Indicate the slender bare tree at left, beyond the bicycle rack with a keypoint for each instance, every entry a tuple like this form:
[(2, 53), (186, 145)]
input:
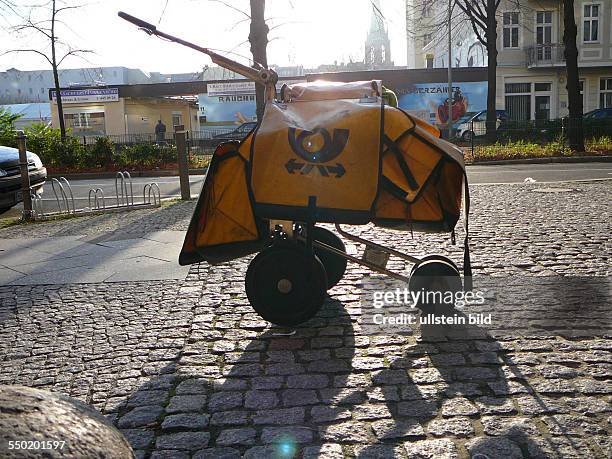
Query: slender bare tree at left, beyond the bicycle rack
[(43, 20)]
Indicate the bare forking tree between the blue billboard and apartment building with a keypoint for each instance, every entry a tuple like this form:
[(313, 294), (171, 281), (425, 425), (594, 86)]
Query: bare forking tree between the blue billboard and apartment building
[(482, 17)]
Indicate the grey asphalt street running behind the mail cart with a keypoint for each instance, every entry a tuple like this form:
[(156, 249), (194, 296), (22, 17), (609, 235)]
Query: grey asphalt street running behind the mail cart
[(489, 174)]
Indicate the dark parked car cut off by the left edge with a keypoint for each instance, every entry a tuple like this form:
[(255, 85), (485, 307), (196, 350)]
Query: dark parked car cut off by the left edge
[(10, 176)]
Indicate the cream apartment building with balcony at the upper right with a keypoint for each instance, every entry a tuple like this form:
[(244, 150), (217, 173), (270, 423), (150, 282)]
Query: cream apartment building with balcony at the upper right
[(531, 76)]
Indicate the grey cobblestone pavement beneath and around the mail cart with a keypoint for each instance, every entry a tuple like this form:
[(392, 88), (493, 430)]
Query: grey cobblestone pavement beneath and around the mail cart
[(187, 369)]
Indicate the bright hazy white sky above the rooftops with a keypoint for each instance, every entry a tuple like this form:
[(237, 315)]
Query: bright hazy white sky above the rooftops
[(303, 32)]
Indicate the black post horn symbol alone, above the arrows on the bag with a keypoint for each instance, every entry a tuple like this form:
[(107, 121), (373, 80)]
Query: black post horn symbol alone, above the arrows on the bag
[(318, 146)]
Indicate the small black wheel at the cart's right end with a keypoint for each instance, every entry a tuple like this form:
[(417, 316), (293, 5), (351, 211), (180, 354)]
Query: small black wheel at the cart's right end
[(436, 276)]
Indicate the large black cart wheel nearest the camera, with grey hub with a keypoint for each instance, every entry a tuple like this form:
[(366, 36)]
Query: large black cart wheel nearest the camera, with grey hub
[(286, 285)]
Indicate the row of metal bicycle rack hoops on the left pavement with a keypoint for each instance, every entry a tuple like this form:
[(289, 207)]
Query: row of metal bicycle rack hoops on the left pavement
[(62, 190)]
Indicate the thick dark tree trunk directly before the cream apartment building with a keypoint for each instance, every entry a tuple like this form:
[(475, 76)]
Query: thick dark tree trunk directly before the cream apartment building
[(575, 132)]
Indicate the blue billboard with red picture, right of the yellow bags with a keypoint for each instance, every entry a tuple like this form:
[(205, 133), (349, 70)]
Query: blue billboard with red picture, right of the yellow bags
[(428, 101)]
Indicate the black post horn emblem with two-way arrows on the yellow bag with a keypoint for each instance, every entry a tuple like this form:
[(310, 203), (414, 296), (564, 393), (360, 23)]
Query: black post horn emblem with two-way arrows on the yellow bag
[(331, 148)]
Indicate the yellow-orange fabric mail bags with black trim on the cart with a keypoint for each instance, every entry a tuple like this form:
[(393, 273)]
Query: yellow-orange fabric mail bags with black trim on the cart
[(333, 150)]
